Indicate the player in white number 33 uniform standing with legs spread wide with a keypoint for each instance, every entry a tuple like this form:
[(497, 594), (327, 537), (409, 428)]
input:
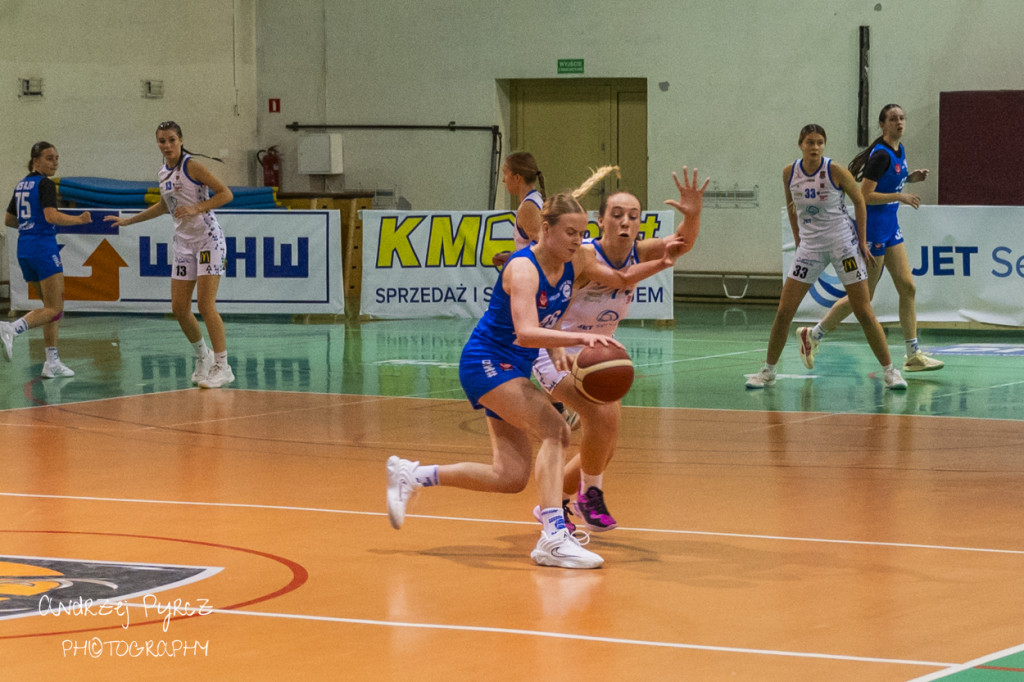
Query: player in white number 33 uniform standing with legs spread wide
[(825, 233)]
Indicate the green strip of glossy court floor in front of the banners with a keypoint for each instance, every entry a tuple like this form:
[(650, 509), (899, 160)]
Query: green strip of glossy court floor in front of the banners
[(699, 362)]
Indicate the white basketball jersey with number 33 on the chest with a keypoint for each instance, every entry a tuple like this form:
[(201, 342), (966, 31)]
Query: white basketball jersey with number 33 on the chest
[(822, 217)]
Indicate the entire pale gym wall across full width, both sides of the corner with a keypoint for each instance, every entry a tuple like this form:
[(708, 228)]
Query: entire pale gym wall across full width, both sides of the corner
[(745, 76)]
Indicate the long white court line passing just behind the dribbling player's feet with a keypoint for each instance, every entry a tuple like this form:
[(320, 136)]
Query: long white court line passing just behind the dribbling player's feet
[(746, 536)]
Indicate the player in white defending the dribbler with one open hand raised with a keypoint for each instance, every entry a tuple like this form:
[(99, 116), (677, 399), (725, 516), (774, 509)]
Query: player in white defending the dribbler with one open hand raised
[(598, 309)]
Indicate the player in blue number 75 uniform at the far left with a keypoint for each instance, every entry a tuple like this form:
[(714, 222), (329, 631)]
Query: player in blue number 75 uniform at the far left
[(33, 210)]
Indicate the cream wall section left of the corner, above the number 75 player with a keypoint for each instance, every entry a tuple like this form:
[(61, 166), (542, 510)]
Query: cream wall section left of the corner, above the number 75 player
[(94, 57)]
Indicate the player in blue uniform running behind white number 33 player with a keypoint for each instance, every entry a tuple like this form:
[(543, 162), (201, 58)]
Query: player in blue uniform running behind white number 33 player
[(883, 172)]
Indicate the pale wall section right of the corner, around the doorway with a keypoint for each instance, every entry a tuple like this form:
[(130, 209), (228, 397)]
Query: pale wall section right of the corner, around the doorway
[(745, 76)]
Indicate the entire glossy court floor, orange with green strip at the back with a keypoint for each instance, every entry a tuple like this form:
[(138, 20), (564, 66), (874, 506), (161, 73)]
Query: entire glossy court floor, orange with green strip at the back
[(824, 529)]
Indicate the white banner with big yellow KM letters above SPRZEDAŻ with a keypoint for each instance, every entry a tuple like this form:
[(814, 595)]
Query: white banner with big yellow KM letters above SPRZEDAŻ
[(439, 265)]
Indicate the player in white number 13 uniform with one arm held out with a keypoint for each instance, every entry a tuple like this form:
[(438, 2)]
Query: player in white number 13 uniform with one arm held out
[(186, 188)]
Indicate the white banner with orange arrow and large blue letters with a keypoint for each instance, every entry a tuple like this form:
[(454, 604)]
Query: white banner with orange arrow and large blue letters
[(278, 263)]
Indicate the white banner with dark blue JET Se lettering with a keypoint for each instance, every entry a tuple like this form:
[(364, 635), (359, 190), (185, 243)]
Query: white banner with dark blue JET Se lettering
[(968, 265)]
